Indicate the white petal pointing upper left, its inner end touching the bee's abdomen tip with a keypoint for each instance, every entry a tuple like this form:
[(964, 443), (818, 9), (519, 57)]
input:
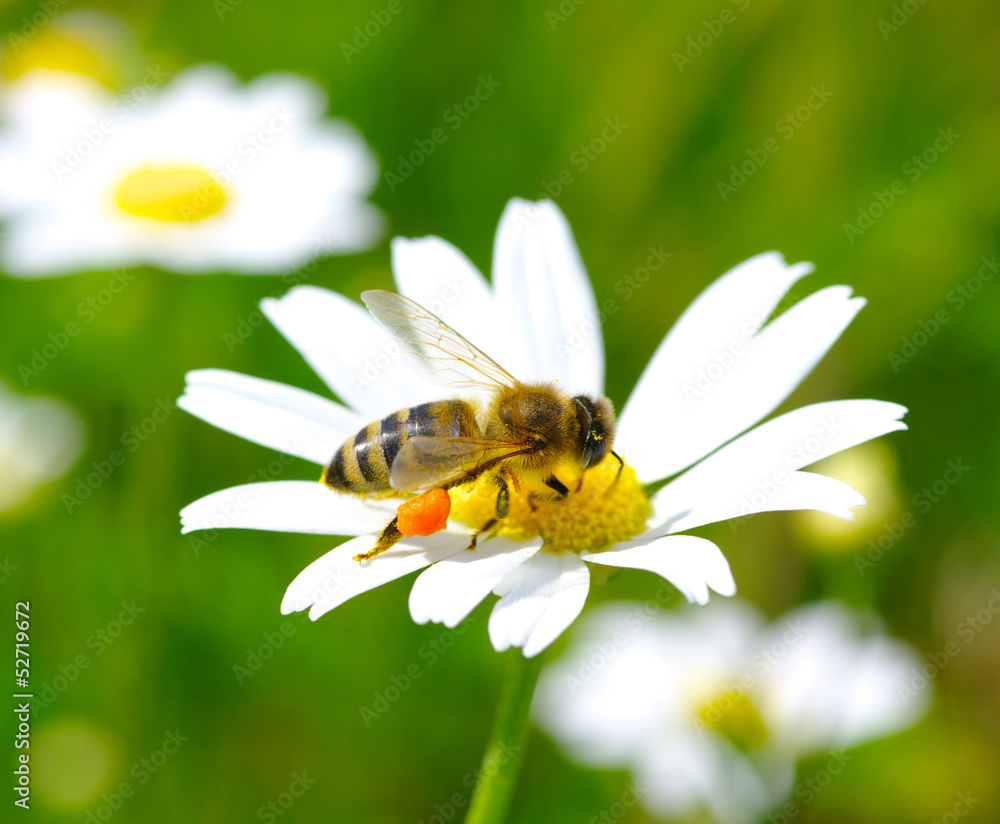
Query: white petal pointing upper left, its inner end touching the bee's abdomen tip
[(272, 414)]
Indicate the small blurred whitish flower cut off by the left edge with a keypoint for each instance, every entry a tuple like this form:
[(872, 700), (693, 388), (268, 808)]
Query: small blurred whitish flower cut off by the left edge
[(40, 439)]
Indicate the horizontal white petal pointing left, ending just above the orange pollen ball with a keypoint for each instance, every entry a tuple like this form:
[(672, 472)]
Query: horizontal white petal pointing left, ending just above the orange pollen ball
[(286, 506)]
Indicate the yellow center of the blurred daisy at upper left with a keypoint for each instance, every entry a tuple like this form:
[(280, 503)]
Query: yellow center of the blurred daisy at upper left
[(173, 194)]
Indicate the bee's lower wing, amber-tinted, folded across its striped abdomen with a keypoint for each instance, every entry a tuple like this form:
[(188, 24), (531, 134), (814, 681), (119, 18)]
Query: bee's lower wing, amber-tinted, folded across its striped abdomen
[(425, 463)]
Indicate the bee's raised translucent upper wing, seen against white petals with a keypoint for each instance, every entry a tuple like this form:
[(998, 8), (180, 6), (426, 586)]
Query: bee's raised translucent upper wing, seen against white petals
[(438, 353)]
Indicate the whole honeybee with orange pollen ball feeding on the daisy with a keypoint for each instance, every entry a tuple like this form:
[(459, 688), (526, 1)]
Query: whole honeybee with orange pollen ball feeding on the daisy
[(524, 432)]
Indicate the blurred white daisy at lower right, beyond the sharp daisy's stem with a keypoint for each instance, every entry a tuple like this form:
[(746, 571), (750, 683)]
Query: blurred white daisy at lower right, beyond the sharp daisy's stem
[(710, 710)]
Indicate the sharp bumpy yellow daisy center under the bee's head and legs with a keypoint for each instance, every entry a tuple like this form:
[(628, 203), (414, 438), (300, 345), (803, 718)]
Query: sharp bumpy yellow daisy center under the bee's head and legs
[(606, 508)]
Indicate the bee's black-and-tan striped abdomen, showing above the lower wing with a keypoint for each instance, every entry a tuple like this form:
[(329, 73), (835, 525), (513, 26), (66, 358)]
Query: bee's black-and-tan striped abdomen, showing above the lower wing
[(362, 464)]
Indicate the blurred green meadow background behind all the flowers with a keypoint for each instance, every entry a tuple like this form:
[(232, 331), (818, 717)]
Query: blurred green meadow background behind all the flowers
[(562, 71)]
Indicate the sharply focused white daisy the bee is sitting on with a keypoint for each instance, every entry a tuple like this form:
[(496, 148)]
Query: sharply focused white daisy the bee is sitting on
[(538, 318)]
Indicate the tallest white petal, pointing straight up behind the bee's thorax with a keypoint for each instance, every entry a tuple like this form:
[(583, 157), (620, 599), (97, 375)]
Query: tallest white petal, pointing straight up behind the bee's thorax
[(546, 299)]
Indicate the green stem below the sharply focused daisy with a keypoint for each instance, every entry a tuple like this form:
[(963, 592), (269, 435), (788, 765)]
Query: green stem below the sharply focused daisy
[(502, 759)]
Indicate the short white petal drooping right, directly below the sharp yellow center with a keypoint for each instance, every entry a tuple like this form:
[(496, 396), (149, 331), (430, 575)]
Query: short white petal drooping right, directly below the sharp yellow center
[(693, 565)]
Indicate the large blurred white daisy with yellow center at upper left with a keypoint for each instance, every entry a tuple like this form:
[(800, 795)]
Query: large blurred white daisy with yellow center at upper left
[(200, 174)]
